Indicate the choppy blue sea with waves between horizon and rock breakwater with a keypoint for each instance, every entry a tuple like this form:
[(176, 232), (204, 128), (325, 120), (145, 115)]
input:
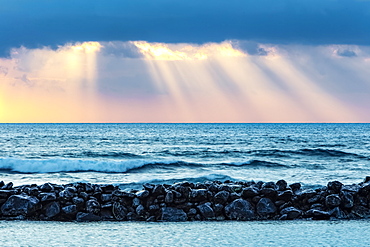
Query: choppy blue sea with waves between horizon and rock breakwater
[(131, 154)]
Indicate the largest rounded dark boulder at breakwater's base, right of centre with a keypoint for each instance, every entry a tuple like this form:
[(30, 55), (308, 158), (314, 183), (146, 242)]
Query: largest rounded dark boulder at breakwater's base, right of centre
[(240, 209)]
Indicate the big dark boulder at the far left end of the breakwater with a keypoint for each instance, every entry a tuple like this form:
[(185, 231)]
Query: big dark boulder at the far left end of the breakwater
[(20, 205)]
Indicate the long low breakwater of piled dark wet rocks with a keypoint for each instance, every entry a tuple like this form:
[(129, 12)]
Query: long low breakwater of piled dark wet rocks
[(213, 200)]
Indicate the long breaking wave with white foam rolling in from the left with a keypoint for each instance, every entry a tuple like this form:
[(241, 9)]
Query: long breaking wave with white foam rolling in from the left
[(111, 166)]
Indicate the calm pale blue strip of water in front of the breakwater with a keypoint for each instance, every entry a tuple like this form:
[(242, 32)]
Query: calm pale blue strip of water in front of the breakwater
[(257, 233)]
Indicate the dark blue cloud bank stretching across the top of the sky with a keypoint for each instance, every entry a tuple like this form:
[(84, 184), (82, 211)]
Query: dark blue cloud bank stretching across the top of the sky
[(41, 23)]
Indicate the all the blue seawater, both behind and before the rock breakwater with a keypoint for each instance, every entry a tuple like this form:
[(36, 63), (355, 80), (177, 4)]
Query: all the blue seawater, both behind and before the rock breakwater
[(129, 155)]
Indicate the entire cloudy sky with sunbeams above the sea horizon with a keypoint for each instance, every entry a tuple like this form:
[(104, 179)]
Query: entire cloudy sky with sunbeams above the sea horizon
[(184, 61)]
